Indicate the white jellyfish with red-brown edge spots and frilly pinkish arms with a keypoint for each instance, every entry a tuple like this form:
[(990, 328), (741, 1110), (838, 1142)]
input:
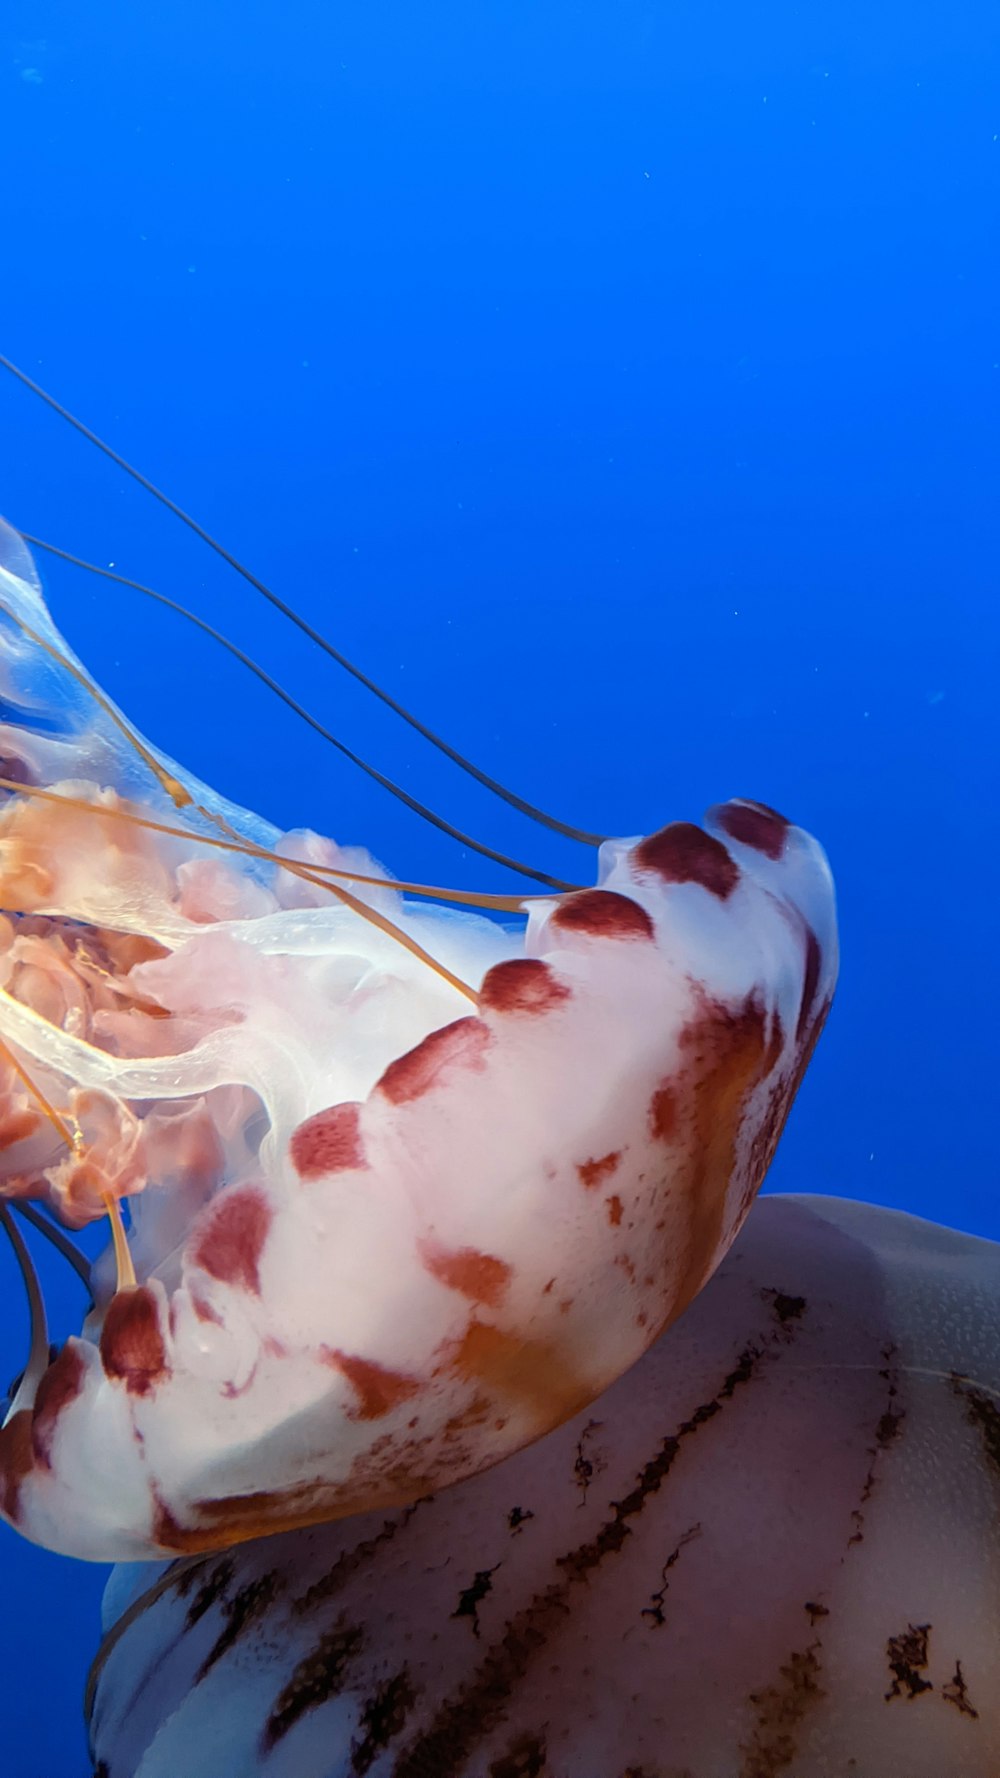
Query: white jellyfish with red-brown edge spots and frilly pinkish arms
[(407, 1187)]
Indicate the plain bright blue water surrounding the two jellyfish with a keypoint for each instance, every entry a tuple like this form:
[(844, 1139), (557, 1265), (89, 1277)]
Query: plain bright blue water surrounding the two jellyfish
[(620, 385)]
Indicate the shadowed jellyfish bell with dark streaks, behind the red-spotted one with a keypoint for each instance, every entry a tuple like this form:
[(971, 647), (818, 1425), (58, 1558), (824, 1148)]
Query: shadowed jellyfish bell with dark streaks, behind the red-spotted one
[(771, 1550)]
